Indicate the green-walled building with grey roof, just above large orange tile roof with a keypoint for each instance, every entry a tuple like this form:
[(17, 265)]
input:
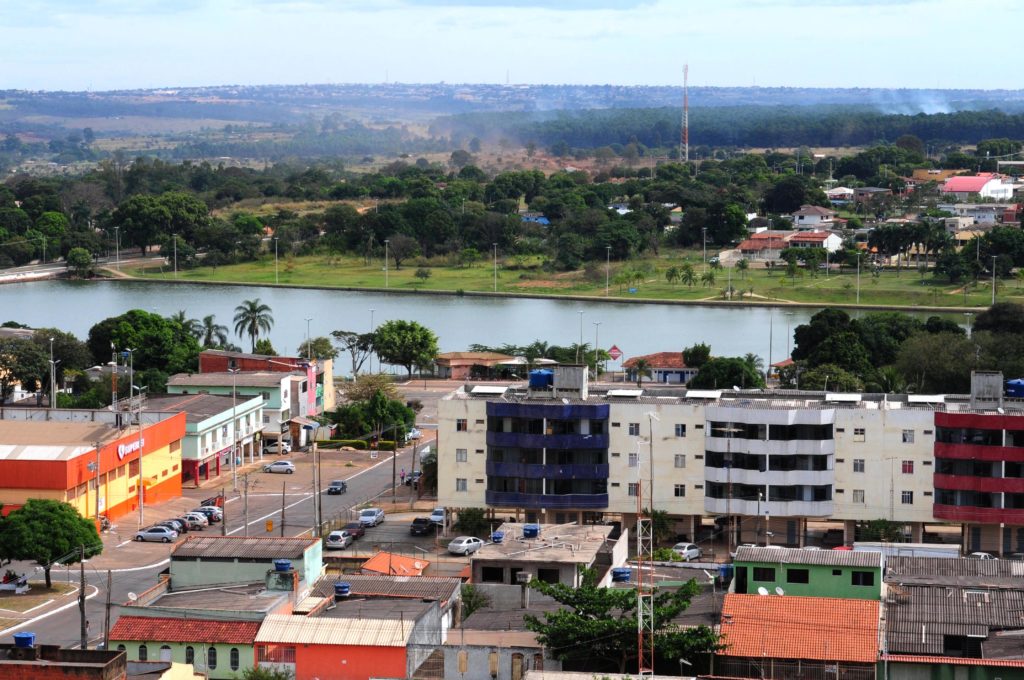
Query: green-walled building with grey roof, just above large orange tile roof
[(854, 575)]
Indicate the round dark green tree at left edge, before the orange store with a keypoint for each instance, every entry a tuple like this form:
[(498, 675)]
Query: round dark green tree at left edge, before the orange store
[(45, 532)]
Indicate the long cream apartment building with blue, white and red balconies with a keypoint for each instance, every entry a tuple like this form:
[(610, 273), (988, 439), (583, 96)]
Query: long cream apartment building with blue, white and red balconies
[(757, 461)]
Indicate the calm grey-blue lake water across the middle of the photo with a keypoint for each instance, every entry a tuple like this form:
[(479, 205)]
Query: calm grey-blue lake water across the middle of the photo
[(459, 322)]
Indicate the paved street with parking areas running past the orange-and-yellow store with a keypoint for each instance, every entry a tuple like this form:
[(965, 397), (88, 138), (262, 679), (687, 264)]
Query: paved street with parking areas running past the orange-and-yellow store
[(137, 566)]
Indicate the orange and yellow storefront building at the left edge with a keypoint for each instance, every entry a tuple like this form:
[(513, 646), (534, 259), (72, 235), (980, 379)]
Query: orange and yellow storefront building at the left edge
[(57, 459)]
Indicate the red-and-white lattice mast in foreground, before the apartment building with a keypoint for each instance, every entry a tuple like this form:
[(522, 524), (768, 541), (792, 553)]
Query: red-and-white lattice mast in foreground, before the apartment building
[(646, 572)]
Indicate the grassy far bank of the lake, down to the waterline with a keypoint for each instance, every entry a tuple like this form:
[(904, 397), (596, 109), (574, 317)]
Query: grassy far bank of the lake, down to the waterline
[(888, 290)]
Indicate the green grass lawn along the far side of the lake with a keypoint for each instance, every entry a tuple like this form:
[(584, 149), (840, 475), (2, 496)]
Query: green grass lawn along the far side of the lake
[(907, 289)]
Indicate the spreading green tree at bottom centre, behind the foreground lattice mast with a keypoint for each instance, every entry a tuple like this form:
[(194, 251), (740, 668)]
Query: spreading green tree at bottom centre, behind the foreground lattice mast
[(598, 627)]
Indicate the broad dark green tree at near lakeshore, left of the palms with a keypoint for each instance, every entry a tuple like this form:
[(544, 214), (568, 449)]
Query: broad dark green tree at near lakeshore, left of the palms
[(157, 343)]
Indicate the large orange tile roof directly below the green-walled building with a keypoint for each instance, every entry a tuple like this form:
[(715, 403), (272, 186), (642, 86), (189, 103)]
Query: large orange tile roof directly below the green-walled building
[(809, 628)]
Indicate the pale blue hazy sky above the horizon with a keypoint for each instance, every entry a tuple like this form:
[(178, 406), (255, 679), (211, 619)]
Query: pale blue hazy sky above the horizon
[(116, 45)]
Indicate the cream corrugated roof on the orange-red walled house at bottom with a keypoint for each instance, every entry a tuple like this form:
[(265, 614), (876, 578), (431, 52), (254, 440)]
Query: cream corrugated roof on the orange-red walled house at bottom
[(287, 629)]
